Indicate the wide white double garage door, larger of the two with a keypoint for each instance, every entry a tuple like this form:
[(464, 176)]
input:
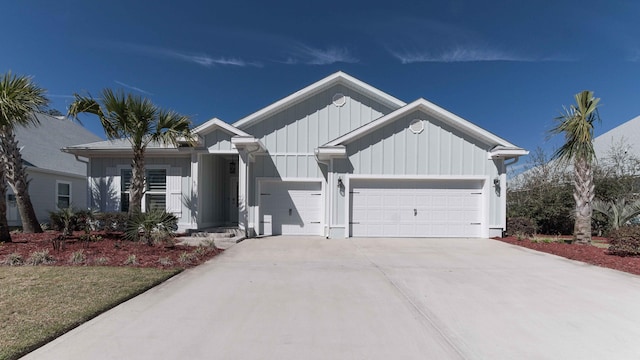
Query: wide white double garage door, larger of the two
[(416, 208)]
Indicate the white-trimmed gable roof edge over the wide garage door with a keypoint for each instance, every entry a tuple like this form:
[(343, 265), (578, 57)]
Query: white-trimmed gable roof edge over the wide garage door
[(437, 112)]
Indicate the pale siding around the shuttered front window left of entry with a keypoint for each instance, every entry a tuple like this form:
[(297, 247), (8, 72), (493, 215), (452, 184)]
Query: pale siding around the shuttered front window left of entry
[(105, 186)]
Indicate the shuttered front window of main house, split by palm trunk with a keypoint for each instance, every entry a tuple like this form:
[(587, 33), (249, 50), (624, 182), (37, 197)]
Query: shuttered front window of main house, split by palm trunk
[(155, 196)]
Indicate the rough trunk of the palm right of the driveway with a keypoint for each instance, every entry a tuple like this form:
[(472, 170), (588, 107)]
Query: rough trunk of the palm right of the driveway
[(583, 194)]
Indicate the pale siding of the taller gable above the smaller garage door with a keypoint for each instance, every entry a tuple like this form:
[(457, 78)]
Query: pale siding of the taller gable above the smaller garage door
[(292, 135)]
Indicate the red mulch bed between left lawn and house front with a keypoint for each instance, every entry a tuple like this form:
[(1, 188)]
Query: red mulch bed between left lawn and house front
[(111, 250)]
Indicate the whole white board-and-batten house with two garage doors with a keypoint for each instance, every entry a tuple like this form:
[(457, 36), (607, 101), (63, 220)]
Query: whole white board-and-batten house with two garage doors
[(338, 158)]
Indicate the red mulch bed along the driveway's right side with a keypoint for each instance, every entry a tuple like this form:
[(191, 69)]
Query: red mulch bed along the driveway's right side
[(589, 254)]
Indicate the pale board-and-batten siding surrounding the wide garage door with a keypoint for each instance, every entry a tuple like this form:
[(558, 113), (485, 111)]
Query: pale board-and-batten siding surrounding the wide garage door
[(438, 150)]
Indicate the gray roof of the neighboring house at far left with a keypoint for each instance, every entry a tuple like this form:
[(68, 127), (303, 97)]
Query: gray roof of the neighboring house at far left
[(41, 145)]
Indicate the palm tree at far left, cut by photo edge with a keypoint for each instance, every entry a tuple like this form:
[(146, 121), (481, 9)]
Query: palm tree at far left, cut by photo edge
[(20, 99)]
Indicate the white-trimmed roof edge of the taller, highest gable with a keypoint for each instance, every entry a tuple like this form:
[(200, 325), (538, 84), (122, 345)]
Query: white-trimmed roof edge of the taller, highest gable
[(331, 80)]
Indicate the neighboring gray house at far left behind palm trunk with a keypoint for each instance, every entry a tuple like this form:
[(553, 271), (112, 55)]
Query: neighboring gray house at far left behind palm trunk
[(56, 178)]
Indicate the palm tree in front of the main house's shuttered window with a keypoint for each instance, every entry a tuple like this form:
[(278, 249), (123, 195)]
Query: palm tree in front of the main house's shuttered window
[(139, 121)]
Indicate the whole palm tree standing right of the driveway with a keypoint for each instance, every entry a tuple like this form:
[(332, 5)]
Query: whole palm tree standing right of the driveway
[(576, 123)]
